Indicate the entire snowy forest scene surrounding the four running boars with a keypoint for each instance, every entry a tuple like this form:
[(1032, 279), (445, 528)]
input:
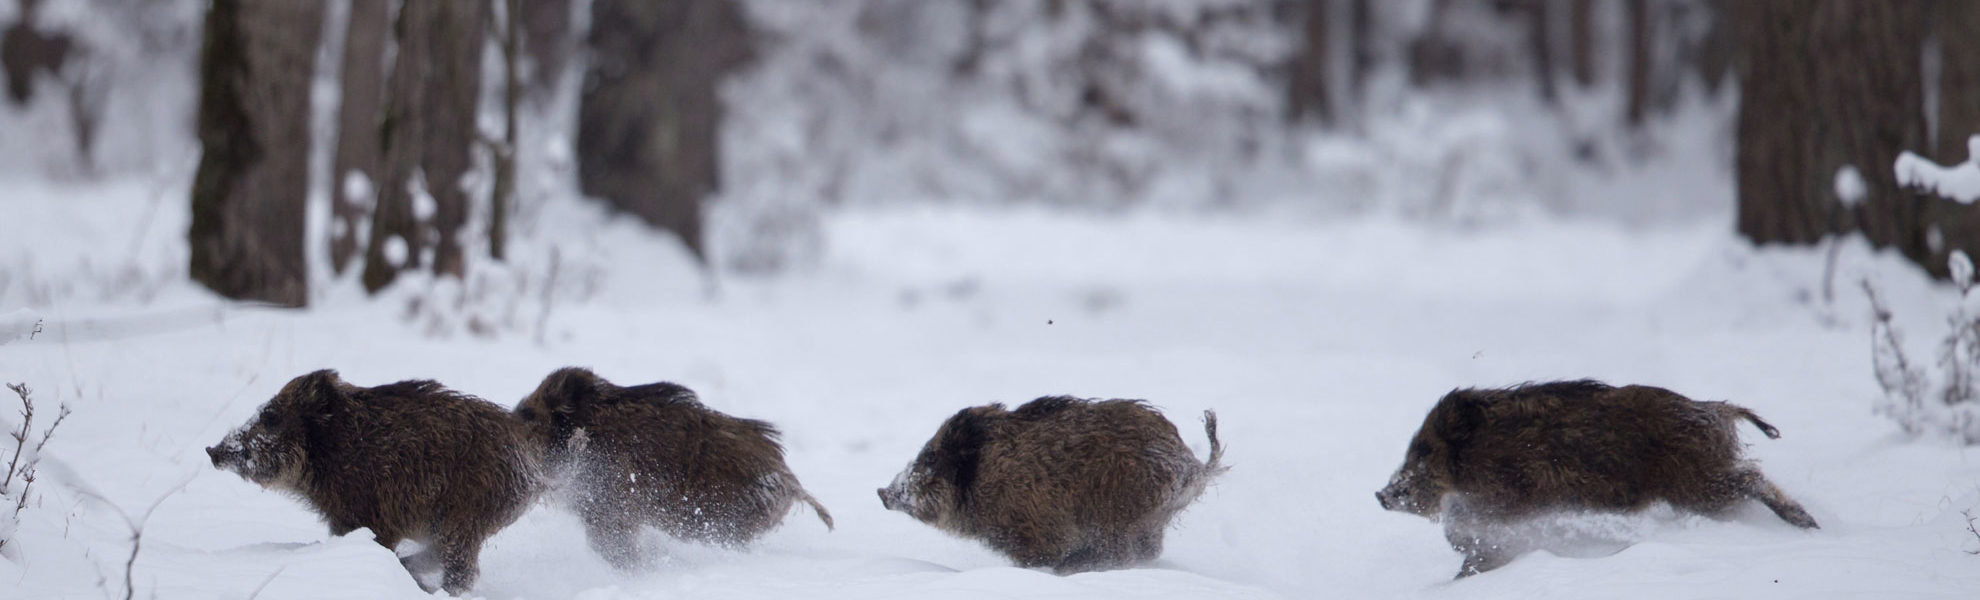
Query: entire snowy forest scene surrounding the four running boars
[(856, 219)]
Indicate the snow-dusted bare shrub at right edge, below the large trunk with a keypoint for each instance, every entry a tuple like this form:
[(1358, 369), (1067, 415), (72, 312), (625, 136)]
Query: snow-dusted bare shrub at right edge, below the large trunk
[(1941, 401)]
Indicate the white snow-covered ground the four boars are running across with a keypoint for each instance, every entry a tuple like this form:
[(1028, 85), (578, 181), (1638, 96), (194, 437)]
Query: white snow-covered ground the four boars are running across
[(1320, 344)]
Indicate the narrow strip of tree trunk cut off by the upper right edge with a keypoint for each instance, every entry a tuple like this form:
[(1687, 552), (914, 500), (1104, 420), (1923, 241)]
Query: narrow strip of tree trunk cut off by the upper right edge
[(1959, 78)]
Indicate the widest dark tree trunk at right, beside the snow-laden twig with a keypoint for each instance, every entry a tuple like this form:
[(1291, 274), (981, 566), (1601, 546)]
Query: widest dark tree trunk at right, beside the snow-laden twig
[(1823, 86)]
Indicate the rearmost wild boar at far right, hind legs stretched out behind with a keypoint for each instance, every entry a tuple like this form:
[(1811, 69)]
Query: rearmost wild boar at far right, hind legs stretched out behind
[(1486, 458)]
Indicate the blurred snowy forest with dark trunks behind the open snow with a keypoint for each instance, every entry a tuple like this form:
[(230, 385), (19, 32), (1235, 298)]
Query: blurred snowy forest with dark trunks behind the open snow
[(734, 124)]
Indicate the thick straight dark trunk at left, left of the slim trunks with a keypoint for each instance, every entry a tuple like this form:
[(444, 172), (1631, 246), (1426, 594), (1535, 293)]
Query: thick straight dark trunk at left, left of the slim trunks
[(248, 193)]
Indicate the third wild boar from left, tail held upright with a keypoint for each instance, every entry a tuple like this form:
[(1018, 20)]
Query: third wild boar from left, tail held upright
[(1060, 482)]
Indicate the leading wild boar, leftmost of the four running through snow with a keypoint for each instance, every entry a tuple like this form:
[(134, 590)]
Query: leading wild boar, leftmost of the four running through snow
[(407, 460)]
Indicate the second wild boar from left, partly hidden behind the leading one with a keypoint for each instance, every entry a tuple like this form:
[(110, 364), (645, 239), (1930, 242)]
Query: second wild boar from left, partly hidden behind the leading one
[(656, 456)]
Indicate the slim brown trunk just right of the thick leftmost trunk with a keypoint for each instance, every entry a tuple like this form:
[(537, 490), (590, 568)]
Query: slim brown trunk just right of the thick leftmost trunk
[(357, 126)]
